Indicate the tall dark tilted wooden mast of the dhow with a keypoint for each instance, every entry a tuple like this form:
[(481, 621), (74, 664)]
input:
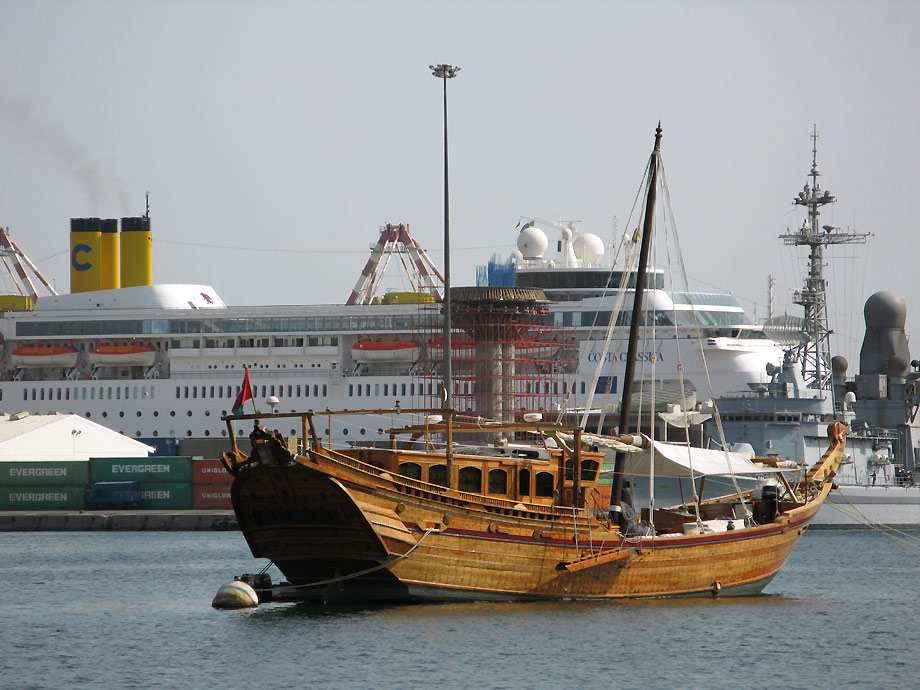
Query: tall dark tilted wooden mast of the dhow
[(648, 227)]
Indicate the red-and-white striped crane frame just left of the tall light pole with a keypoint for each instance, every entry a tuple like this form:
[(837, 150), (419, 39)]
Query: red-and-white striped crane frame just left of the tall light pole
[(395, 239)]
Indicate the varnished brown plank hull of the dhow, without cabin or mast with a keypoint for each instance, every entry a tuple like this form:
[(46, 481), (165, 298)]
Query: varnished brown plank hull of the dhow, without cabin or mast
[(320, 520)]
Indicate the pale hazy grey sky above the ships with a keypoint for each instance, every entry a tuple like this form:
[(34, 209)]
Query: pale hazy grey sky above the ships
[(275, 137)]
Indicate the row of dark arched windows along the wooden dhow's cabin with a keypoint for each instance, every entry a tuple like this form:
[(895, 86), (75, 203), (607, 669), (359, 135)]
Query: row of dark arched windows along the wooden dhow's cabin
[(469, 479)]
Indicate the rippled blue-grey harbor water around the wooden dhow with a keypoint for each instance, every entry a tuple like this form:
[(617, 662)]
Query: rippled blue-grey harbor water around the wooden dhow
[(121, 609)]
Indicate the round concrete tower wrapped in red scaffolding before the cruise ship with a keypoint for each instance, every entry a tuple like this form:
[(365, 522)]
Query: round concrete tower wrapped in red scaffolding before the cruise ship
[(507, 360)]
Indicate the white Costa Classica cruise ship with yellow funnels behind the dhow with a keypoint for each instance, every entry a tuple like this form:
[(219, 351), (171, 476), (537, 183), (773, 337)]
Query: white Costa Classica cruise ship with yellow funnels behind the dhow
[(163, 363)]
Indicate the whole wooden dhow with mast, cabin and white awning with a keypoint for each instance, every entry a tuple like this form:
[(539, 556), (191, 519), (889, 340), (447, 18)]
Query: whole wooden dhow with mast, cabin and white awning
[(438, 516)]
